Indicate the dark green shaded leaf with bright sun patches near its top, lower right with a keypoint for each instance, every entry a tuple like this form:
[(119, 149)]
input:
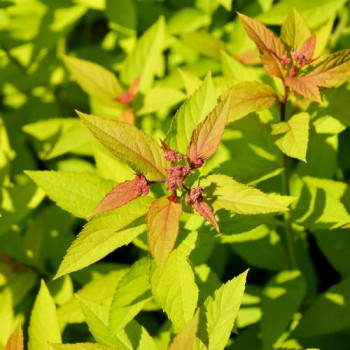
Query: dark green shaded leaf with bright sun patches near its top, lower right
[(282, 297)]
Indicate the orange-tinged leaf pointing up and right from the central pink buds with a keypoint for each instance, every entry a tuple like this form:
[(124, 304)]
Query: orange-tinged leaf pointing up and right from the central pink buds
[(207, 136)]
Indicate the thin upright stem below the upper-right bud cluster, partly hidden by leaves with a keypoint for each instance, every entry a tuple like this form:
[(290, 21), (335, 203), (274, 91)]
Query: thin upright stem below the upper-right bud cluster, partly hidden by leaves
[(290, 242)]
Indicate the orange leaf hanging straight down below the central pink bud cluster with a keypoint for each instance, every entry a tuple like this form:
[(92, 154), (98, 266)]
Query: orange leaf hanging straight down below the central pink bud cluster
[(163, 219)]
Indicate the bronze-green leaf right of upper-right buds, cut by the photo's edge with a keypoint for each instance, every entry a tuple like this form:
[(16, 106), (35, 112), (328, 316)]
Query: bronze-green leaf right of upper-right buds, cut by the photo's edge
[(332, 70)]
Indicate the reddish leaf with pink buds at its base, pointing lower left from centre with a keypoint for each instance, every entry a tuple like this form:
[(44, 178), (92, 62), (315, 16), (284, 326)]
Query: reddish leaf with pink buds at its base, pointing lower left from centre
[(121, 194)]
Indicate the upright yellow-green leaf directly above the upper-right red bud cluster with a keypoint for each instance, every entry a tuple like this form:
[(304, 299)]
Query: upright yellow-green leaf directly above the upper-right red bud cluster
[(294, 30)]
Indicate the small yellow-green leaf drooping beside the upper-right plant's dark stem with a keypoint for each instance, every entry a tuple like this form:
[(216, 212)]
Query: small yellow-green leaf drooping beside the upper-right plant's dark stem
[(292, 136)]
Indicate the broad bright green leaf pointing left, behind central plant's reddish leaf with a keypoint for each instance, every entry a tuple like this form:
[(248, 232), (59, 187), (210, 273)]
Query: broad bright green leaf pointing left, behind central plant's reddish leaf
[(77, 193)]
